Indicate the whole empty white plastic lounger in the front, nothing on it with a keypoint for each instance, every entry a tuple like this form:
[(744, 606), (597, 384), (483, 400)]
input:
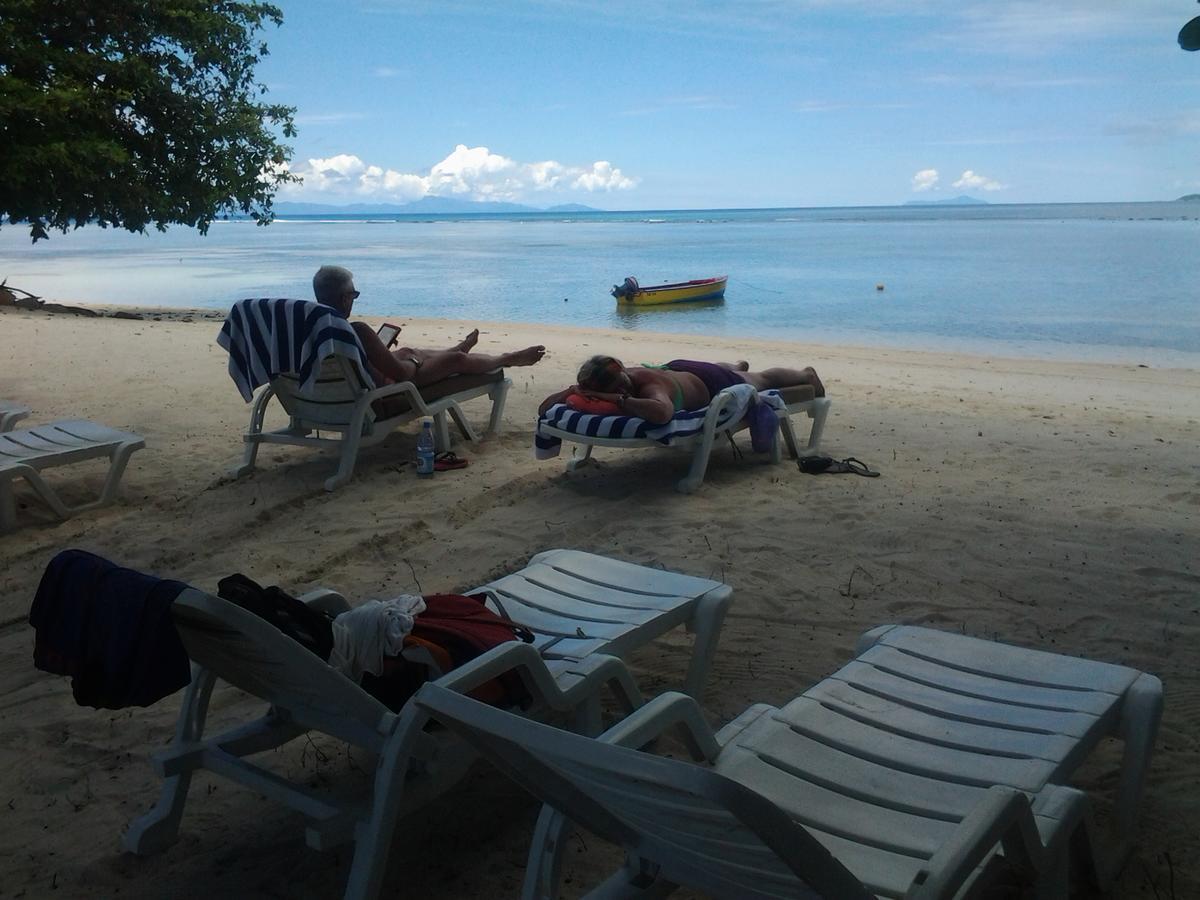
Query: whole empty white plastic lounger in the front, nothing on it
[(952, 751)]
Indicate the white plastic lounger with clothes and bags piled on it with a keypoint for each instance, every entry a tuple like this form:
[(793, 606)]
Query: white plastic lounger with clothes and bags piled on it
[(583, 609)]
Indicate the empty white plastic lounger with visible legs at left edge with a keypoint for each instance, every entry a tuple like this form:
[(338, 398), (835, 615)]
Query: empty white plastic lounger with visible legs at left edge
[(25, 453)]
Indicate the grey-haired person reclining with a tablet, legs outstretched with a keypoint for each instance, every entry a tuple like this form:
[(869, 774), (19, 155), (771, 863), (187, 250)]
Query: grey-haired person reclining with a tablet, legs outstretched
[(334, 286)]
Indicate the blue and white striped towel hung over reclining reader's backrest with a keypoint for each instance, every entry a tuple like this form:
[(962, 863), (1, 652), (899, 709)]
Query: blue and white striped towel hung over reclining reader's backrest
[(271, 337)]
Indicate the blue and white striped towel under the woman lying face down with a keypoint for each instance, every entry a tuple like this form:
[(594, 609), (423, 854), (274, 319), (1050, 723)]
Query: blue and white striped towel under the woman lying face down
[(686, 424)]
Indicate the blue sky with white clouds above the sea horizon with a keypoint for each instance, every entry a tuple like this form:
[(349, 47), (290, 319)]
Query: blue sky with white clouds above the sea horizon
[(641, 105)]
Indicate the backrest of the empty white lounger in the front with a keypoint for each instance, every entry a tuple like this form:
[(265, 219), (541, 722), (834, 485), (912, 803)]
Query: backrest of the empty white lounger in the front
[(700, 827)]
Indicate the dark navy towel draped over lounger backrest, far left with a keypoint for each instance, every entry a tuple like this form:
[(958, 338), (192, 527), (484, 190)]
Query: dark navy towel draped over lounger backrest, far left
[(110, 629)]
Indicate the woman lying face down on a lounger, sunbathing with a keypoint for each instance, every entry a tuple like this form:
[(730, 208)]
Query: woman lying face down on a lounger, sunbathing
[(657, 393)]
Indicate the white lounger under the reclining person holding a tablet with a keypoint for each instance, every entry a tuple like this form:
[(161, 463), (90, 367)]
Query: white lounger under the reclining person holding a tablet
[(343, 403)]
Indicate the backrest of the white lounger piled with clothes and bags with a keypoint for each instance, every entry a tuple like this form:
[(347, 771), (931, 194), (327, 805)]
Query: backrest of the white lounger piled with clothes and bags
[(256, 657)]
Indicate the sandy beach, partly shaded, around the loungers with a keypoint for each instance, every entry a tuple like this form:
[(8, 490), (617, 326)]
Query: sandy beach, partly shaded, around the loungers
[(1047, 505)]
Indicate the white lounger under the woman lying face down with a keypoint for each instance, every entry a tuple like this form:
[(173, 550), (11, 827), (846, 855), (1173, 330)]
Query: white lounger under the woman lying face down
[(722, 417)]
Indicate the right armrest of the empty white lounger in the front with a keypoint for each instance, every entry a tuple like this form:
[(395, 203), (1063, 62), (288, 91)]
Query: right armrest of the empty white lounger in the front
[(1003, 817)]
